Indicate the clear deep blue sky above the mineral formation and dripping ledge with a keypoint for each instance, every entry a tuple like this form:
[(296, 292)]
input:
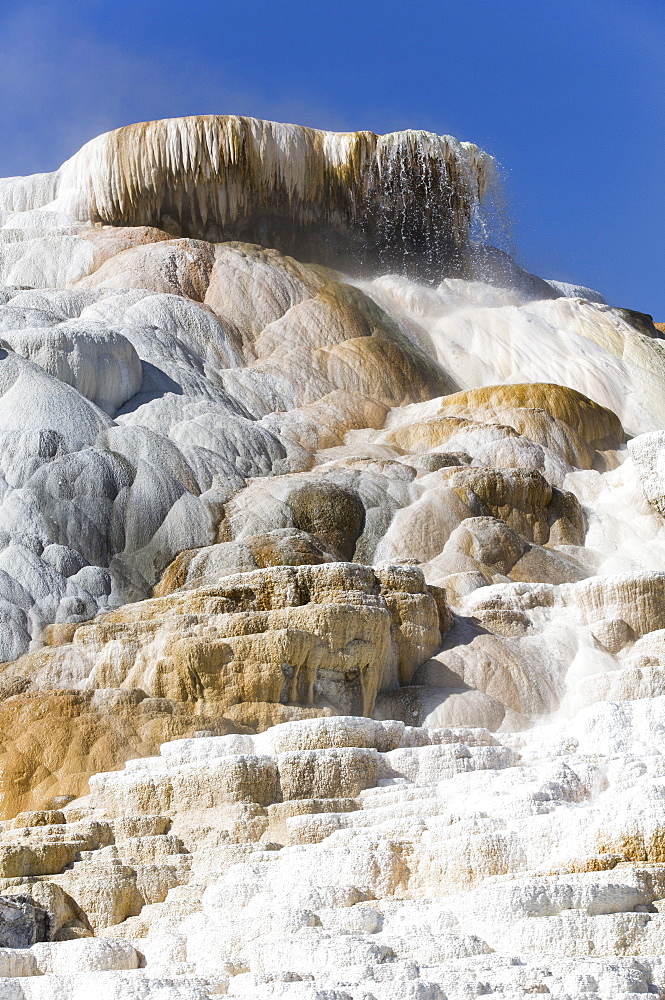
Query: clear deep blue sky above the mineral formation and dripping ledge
[(568, 94)]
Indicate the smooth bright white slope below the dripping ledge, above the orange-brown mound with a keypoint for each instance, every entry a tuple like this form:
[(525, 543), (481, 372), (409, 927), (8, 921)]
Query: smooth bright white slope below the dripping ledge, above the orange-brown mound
[(486, 335)]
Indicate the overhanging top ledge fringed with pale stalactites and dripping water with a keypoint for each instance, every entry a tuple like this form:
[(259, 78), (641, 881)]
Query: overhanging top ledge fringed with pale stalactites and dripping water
[(405, 199)]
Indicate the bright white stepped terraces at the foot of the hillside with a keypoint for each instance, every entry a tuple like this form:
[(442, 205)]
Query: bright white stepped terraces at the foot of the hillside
[(346, 857)]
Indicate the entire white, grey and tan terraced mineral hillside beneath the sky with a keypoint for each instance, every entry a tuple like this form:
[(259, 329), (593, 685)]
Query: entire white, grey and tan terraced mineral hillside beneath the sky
[(332, 608)]
